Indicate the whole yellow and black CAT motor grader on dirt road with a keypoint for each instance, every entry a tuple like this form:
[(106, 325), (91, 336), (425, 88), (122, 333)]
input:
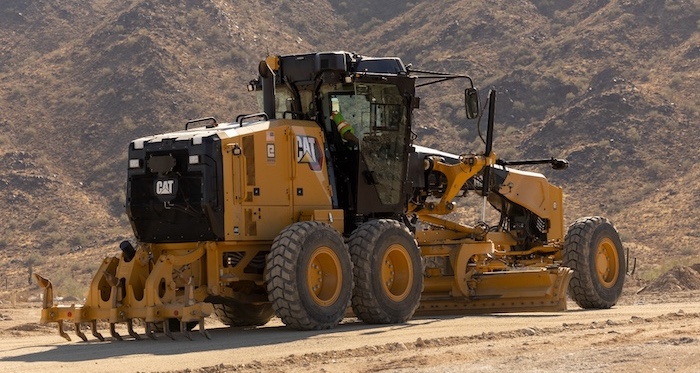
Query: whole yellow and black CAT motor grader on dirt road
[(277, 213)]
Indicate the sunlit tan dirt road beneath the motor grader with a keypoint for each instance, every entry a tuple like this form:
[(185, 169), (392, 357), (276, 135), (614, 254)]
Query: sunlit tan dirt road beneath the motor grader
[(639, 336)]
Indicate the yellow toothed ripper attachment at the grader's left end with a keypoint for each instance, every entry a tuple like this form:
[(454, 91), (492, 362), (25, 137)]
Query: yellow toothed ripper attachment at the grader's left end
[(123, 291)]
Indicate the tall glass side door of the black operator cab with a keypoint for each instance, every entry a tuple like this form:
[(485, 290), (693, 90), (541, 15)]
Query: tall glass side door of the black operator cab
[(377, 114)]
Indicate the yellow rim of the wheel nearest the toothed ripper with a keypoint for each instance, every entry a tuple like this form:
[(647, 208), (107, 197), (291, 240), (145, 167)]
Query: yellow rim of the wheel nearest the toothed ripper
[(324, 276)]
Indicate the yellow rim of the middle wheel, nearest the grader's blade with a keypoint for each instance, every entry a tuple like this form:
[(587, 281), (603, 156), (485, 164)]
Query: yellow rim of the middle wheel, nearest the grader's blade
[(396, 273)]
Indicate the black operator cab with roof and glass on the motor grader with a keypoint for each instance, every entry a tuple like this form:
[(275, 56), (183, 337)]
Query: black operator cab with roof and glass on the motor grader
[(376, 97)]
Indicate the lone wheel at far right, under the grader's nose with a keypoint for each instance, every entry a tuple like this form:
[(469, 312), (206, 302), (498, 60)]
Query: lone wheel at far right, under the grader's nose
[(592, 248)]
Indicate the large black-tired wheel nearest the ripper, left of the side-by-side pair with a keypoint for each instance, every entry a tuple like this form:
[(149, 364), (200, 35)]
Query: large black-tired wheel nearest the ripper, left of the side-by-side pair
[(309, 276)]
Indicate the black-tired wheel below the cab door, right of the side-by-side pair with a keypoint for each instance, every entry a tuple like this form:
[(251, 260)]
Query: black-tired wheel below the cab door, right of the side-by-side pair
[(388, 272)]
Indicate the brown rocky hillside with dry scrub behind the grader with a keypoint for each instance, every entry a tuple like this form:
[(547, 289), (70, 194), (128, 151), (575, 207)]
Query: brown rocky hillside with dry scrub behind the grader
[(610, 85)]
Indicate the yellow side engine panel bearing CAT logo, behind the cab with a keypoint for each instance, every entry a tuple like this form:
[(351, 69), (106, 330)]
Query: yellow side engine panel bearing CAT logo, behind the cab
[(277, 172)]
